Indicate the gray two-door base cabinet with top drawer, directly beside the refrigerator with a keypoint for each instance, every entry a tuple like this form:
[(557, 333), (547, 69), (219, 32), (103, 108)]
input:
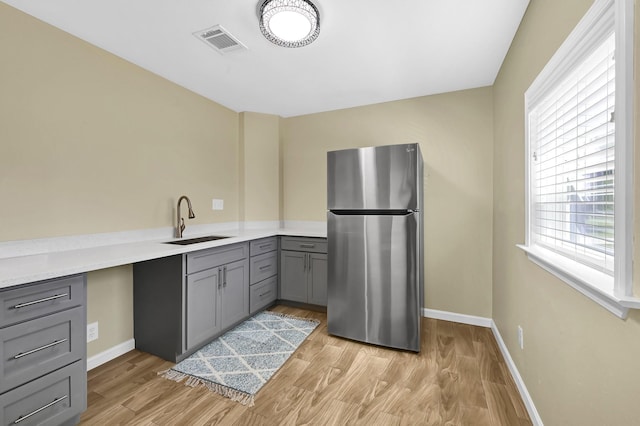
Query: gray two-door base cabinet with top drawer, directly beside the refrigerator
[(303, 270)]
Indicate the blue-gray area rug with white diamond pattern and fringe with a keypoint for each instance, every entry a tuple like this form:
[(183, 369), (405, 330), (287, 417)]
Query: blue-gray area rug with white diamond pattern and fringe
[(238, 363)]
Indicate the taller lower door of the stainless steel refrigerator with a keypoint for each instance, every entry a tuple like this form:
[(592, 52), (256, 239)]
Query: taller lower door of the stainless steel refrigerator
[(373, 285)]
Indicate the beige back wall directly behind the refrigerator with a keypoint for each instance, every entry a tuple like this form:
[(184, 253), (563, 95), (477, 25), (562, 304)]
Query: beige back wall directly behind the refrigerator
[(455, 135)]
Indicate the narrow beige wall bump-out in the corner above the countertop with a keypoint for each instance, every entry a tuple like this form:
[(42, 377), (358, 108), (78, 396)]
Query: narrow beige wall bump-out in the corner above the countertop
[(259, 167)]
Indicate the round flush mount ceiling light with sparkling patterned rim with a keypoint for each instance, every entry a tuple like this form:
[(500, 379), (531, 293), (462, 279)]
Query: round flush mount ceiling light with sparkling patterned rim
[(289, 23)]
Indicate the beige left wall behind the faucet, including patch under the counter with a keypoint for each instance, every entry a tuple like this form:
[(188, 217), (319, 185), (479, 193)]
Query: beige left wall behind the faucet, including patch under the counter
[(91, 143)]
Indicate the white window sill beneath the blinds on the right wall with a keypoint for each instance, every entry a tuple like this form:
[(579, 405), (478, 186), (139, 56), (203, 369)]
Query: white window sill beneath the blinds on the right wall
[(596, 285)]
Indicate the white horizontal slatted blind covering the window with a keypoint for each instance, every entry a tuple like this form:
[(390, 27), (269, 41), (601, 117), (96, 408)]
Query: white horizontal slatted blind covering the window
[(572, 136)]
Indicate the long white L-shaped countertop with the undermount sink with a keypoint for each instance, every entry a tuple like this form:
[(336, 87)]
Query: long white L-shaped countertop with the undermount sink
[(58, 263)]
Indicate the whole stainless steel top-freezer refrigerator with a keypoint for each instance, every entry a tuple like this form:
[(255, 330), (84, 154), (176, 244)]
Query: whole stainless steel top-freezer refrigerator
[(375, 245)]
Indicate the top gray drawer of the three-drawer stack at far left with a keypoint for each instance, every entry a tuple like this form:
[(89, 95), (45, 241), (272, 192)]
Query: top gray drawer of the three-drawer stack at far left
[(42, 298)]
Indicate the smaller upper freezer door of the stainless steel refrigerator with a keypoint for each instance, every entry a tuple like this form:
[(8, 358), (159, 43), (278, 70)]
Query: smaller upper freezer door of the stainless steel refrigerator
[(376, 178)]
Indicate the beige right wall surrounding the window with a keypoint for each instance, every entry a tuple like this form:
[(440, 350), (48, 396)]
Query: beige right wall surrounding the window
[(580, 363)]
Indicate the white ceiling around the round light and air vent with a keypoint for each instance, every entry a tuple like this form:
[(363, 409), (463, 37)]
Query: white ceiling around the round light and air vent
[(368, 51)]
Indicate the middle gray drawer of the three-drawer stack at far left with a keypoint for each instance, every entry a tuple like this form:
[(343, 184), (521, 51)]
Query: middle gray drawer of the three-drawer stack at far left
[(34, 348)]
